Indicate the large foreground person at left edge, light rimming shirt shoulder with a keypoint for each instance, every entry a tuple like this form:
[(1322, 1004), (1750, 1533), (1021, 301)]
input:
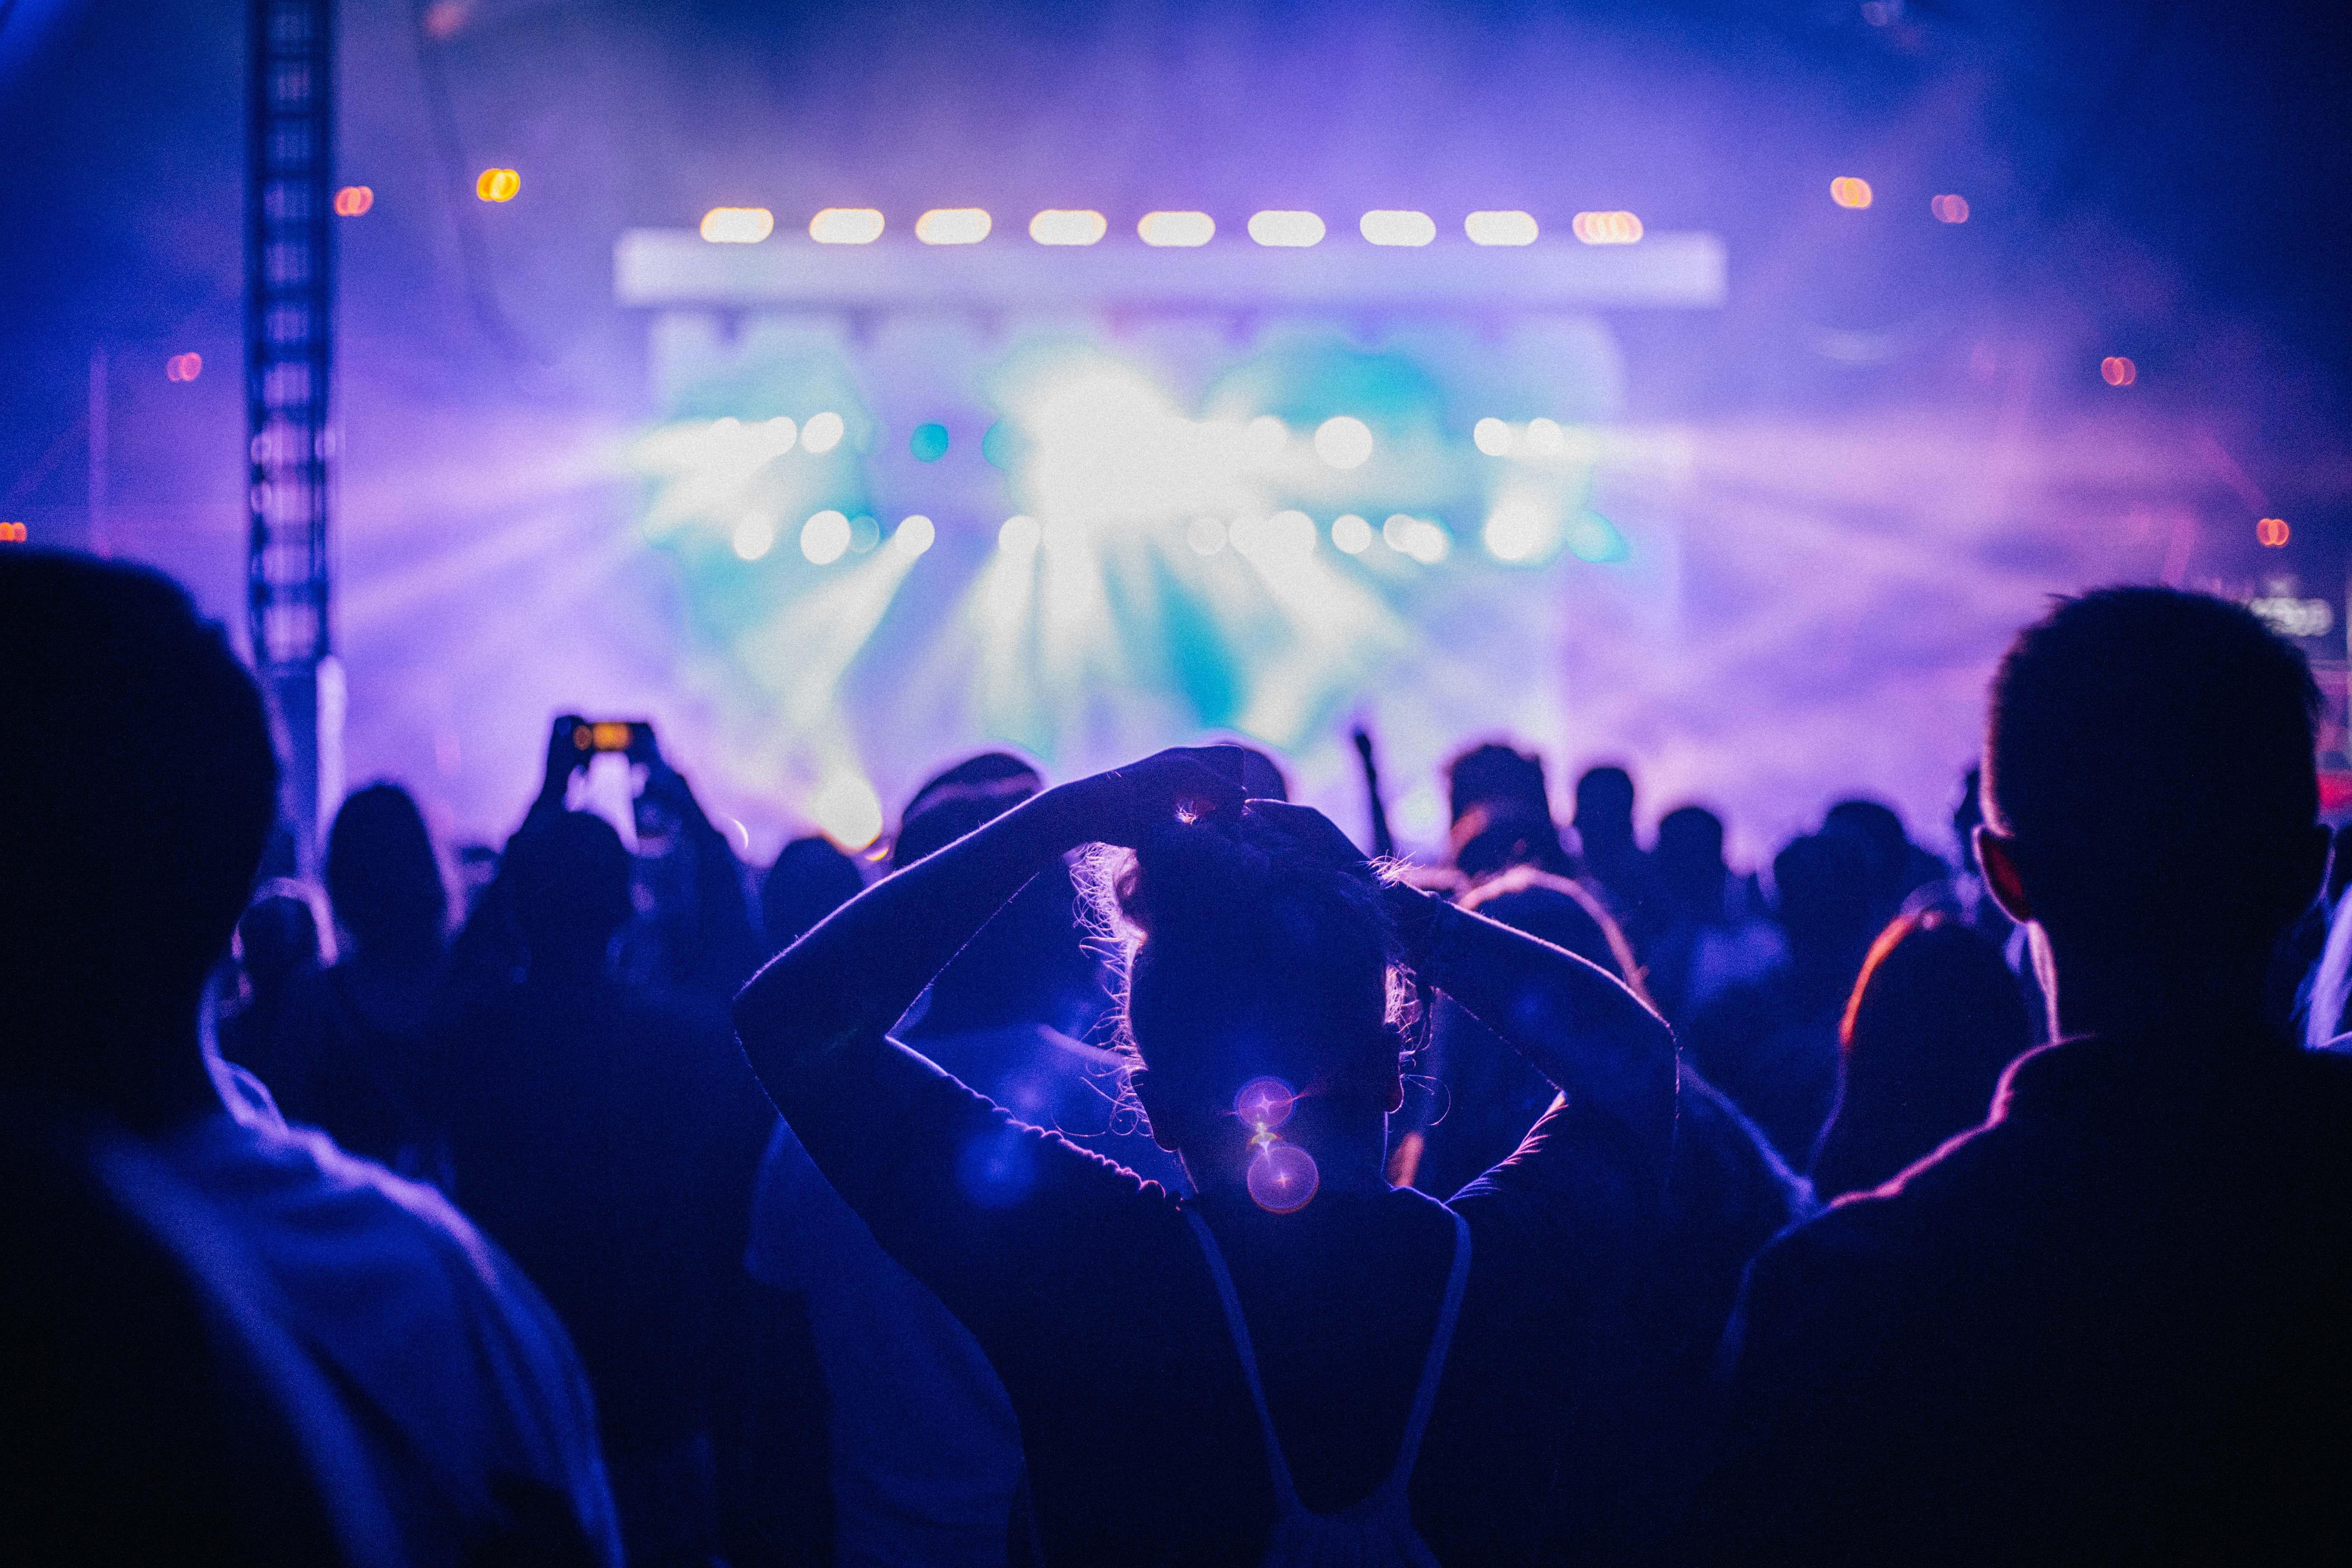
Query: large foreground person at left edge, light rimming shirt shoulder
[(225, 1341)]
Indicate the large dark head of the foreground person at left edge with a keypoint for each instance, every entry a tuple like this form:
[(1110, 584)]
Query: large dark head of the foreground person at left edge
[(133, 815)]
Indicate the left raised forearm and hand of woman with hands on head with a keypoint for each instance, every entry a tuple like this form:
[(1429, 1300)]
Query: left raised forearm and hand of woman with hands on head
[(867, 963)]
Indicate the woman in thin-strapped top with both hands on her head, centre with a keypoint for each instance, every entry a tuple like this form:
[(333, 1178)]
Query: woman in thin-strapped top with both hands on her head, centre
[(1297, 1358)]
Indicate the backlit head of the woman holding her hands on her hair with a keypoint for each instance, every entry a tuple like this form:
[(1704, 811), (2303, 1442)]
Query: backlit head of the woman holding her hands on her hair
[(1250, 958)]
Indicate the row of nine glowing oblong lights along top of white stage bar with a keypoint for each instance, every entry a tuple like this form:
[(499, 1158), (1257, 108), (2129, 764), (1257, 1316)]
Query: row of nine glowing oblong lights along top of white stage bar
[(1276, 229)]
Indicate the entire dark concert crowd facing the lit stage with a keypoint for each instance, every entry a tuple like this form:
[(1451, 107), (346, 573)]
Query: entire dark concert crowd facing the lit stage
[(1137, 1172)]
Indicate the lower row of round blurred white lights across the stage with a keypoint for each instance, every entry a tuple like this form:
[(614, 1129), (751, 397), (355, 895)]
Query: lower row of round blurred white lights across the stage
[(1514, 535)]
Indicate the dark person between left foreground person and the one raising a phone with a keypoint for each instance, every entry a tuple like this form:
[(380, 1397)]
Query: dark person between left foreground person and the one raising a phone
[(359, 1052)]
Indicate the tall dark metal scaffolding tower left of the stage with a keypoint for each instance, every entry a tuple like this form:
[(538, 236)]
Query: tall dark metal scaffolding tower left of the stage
[(288, 377)]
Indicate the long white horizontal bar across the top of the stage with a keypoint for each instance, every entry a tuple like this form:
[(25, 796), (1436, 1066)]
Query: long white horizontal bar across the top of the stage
[(679, 269)]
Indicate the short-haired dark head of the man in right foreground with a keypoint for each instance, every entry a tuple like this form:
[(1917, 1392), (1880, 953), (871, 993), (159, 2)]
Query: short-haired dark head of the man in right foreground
[(2151, 786)]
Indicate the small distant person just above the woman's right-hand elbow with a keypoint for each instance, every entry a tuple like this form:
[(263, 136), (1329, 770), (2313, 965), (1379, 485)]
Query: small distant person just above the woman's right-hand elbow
[(1706, 937)]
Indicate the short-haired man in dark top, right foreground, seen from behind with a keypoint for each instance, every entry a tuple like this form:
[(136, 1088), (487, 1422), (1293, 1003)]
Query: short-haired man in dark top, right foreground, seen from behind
[(2111, 1325)]
